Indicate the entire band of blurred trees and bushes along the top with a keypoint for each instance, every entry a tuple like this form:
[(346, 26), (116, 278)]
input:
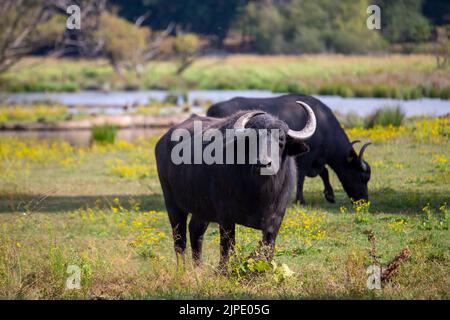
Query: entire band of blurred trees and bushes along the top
[(267, 26)]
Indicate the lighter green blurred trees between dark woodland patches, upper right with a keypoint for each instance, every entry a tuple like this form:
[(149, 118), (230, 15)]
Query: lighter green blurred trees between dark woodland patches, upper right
[(308, 26)]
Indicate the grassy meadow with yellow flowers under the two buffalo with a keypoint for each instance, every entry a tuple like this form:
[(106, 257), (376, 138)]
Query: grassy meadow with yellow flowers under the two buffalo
[(101, 208)]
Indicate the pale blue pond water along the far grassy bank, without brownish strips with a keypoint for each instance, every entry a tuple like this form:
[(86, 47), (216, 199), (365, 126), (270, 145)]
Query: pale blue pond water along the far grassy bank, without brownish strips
[(113, 102)]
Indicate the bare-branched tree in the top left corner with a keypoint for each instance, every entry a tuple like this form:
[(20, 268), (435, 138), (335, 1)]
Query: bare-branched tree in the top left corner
[(28, 25)]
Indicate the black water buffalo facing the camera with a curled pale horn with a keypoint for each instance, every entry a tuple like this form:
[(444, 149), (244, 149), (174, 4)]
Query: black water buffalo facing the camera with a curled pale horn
[(231, 193)]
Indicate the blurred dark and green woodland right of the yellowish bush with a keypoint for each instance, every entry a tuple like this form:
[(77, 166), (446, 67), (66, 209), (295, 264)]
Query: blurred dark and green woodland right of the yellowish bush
[(296, 26)]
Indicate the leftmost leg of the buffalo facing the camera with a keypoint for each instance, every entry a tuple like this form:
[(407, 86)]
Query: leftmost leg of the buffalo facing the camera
[(178, 222)]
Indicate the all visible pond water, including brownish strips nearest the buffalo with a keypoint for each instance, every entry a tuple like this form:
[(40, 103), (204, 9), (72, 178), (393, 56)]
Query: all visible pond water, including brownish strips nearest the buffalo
[(114, 102)]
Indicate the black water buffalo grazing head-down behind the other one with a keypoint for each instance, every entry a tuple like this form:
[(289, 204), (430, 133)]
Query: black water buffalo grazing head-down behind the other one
[(329, 145)]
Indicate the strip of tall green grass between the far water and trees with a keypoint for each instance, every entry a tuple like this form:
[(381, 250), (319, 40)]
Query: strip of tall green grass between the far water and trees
[(397, 76)]
